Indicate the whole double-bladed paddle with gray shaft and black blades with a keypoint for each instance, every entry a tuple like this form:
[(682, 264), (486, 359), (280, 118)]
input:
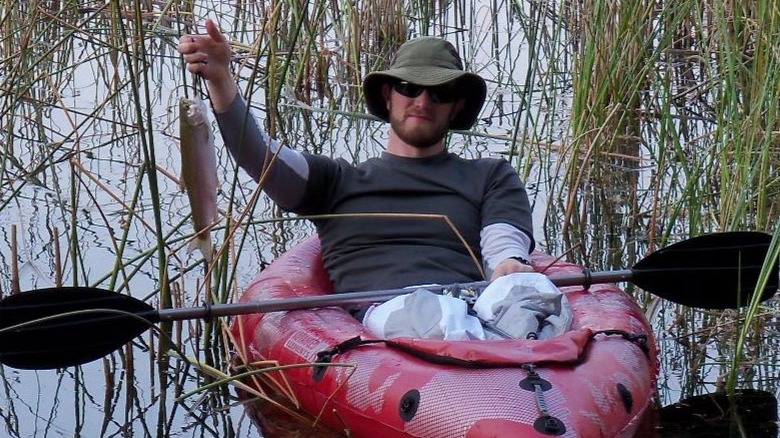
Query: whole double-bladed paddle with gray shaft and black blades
[(61, 327)]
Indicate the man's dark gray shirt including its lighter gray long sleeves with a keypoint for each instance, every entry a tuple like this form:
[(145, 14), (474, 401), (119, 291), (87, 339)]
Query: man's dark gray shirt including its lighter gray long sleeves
[(483, 200)]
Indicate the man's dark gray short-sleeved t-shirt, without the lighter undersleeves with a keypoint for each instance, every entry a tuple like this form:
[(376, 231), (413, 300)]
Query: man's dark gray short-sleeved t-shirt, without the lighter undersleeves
[(365, 252)]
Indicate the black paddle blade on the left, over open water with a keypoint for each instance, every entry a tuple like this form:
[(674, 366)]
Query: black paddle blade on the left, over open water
[(105, 321)]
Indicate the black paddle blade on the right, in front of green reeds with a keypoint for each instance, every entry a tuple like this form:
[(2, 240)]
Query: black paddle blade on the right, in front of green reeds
[(712, 271)]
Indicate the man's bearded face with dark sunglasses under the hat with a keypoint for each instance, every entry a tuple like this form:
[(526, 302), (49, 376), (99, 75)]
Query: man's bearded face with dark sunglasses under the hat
[(419, 120)]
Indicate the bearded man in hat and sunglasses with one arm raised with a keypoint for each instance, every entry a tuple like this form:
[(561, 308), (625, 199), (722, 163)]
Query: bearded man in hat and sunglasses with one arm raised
[(473, 218)]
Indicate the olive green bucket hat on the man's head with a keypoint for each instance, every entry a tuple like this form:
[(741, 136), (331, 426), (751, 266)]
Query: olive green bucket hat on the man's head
[(428, 61)]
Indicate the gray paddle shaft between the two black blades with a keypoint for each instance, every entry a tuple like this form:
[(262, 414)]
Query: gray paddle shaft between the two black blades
[(347, 298)]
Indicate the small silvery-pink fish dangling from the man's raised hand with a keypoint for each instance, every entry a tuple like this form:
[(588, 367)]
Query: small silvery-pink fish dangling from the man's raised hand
[(199, 171)]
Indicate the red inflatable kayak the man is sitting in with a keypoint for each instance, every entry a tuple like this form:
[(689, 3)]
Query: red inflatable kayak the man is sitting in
[(596, 380)]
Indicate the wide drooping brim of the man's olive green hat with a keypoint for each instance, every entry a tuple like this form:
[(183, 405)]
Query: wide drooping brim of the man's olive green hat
[(473, 85)]
